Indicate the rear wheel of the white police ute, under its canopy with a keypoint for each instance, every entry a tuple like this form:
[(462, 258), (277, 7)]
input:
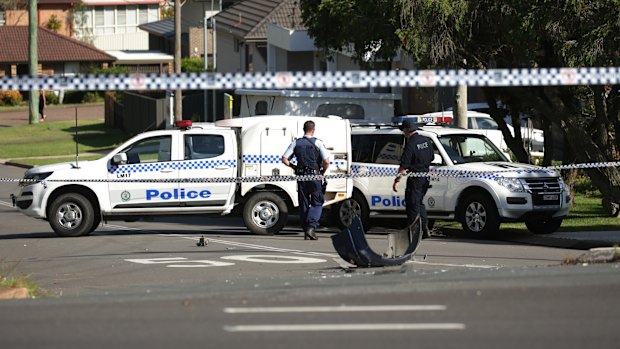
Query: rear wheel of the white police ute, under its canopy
[(265, 213)]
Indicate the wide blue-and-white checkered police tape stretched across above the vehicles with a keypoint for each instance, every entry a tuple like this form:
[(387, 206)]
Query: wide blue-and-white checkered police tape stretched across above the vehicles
[(314, 80)]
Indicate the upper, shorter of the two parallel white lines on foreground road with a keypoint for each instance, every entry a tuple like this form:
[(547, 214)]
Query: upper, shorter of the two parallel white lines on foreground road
[(334, 309)]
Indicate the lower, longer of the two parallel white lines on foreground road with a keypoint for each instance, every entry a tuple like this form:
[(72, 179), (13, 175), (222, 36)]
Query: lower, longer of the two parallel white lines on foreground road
[(346, 327)]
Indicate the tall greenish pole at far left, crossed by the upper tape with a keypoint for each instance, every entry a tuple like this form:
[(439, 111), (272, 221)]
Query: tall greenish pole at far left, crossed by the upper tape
[(33, 61)]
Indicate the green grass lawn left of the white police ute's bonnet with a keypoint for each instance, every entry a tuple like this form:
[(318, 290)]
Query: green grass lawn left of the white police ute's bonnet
[(57, 138)]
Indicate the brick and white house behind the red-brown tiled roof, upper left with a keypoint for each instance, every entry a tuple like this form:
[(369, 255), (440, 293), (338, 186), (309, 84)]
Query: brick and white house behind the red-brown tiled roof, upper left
[(109, 25)]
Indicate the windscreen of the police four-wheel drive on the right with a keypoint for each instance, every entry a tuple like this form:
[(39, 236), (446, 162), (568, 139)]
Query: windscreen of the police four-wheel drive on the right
[(470, 148)]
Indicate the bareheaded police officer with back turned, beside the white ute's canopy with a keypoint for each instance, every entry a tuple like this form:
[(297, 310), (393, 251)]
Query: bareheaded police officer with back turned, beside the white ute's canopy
[(312, 159)]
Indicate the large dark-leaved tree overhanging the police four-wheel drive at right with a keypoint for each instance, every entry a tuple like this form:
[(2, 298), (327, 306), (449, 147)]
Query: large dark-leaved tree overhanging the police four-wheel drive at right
[(509, 34)]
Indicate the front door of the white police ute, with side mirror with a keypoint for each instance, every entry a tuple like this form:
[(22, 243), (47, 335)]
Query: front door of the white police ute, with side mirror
[(148, 179)]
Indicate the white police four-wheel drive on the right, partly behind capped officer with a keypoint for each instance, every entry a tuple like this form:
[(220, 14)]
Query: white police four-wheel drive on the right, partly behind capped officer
[(473, 182)]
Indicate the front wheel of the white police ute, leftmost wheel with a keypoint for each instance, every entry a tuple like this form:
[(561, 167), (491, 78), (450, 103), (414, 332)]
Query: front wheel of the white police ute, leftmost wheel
[(72, 215)]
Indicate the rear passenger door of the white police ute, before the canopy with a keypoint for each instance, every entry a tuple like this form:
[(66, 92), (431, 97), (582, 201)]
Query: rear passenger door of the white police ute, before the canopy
[(208, 155)]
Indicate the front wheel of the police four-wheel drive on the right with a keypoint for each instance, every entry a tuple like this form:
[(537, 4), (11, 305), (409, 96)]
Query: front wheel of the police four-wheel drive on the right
[(479, 215)]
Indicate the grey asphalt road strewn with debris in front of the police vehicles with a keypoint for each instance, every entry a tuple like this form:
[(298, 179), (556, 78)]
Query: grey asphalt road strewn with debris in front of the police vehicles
[(147, 284)]
